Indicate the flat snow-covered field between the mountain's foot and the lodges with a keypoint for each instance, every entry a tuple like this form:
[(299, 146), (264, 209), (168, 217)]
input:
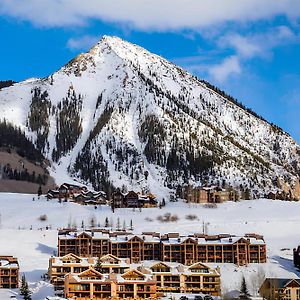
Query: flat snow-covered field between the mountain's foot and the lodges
[(23, 235)]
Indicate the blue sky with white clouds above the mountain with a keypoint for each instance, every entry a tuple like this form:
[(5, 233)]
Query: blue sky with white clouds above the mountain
[(248, 48)]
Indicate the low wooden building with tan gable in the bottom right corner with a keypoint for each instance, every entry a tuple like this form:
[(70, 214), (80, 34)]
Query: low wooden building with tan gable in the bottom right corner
[(280, 289)]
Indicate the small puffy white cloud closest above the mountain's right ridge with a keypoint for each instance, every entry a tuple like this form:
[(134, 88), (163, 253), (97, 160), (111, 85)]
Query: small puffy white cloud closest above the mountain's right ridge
[(228, 67)]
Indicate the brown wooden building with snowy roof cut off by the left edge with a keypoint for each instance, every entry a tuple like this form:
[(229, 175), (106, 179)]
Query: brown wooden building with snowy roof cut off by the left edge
[(9, 272)]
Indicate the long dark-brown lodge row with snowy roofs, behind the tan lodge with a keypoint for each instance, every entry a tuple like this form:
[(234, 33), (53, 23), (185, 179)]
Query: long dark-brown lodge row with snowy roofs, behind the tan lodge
[(171, 247)]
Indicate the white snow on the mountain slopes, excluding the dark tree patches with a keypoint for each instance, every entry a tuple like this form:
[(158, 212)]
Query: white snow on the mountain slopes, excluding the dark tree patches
[(114, 68)]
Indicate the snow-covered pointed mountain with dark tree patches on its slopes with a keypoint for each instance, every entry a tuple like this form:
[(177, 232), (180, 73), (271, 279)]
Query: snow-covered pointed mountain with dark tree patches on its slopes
[(120, 115)]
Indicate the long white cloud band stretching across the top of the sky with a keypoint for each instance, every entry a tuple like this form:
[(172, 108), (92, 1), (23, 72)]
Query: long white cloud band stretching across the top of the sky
[(147, 14)]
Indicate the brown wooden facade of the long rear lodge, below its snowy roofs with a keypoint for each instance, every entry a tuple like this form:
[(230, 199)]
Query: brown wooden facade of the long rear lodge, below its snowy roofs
[(188, 252)]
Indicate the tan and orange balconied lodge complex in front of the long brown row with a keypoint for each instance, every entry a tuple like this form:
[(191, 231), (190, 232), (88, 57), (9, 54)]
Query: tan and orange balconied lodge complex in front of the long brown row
[(110, 276)]
